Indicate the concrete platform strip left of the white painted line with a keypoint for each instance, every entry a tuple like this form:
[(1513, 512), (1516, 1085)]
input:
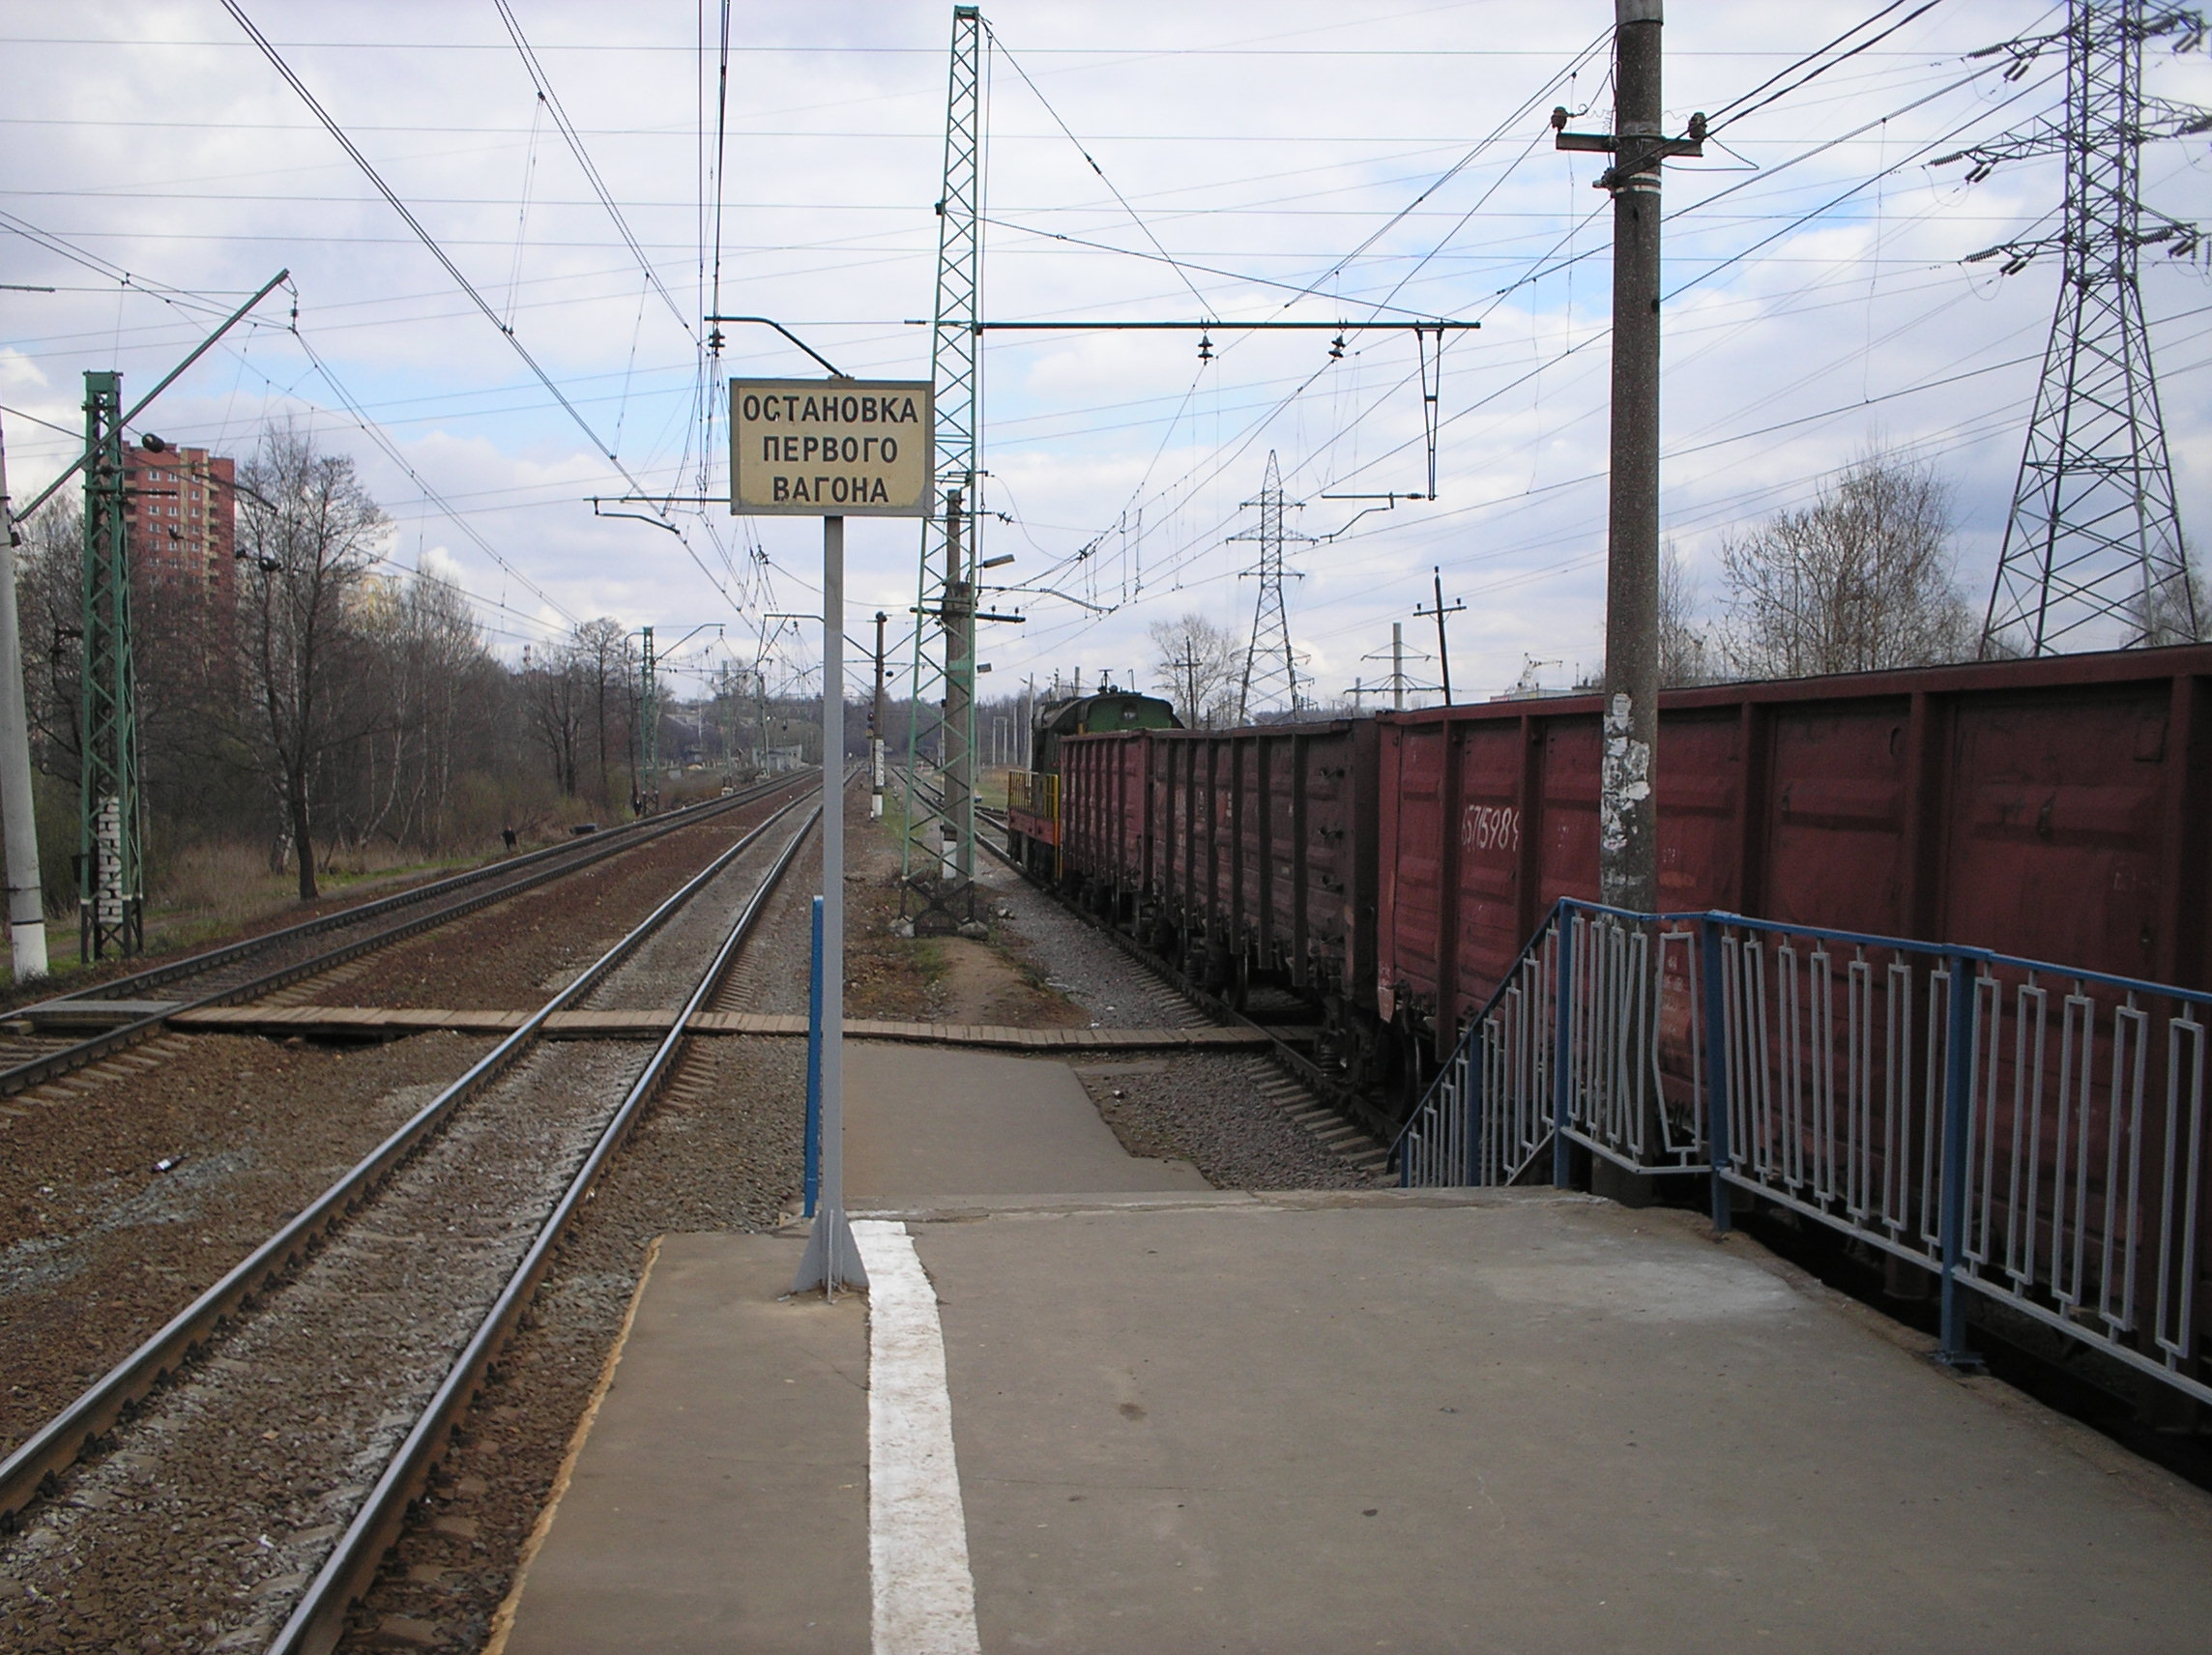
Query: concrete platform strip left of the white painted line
[(722, 1499)]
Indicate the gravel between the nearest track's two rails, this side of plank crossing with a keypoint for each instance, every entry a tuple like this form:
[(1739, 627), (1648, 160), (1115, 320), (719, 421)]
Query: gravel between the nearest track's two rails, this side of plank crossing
[(227, 1492)]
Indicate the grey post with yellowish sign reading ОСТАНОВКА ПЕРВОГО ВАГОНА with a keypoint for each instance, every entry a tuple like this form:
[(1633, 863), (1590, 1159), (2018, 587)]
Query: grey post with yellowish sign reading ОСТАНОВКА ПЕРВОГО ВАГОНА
[(833, 450)]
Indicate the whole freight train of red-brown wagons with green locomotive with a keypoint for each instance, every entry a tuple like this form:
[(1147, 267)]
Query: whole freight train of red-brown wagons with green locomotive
[(1384, 873)]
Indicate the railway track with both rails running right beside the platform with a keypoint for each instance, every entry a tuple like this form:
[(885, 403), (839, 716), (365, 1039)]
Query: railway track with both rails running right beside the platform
[(249, 1501)]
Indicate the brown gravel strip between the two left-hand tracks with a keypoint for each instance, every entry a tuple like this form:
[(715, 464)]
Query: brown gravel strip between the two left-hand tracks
[(98, 1249)]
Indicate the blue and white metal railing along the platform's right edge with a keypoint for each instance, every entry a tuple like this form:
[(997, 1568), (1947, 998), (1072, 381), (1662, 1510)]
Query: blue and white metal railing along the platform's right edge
[(2030, 1132)]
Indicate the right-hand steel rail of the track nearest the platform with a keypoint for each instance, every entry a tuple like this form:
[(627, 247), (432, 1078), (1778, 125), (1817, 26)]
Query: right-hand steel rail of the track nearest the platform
[(317, 1623)]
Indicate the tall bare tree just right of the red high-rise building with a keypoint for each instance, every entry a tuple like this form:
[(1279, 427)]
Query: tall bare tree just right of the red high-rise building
[(309, 534)]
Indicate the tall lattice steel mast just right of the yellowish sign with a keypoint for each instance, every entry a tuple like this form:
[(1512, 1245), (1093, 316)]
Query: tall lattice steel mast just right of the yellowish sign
[(939, 855)]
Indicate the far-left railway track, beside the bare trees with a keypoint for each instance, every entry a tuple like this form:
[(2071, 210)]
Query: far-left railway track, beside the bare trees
[(50, 1039)]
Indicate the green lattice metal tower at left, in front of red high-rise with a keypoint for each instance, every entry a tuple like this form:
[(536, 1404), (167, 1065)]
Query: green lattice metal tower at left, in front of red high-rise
[(112, 846)]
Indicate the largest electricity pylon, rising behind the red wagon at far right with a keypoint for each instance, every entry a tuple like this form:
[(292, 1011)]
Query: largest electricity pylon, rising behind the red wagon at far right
[(2094, 548)]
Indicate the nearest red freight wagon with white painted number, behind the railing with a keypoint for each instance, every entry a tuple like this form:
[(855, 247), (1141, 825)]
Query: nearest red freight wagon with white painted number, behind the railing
[(2049, 809)]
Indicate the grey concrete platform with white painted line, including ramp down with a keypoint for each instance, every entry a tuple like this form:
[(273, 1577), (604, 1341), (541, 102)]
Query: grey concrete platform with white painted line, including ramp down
[(1176, 1419)]
